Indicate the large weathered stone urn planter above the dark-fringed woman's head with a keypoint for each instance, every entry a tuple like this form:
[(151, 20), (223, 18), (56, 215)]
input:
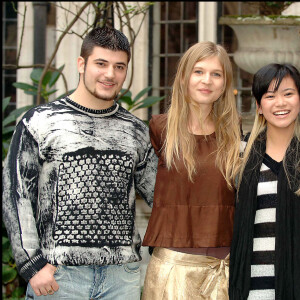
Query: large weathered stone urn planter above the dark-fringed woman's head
[(265, 37)]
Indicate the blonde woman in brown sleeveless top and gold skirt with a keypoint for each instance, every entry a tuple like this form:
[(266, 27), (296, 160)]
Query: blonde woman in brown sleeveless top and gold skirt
[(197, 142)]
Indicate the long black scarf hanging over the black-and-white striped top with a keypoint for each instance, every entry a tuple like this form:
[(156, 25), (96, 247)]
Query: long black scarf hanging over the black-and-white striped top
[(287, 247)]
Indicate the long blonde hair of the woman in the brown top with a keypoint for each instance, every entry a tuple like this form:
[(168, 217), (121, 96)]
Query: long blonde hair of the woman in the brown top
[(179, 141)]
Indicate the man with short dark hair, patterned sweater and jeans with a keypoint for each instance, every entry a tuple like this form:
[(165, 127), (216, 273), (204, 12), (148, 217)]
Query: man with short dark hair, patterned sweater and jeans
[(69, 184)]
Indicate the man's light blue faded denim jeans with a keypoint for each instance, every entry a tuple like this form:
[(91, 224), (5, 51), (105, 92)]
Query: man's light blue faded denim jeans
[(111, 282)]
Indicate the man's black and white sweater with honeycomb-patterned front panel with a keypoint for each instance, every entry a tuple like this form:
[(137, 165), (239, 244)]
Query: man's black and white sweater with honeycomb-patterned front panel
[(69, 183)]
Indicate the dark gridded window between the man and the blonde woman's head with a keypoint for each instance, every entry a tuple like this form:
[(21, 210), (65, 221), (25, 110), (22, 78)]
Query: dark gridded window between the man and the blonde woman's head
[(175, 29)]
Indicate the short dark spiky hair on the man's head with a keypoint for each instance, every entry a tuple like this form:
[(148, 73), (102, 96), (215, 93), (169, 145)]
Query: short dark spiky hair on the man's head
[(105, 37)]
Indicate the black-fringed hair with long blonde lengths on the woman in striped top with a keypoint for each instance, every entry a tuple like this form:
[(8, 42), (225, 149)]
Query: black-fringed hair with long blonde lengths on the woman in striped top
[(261, 82)]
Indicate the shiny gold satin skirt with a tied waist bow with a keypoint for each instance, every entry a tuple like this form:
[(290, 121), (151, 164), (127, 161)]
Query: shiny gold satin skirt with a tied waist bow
[(173, 275)]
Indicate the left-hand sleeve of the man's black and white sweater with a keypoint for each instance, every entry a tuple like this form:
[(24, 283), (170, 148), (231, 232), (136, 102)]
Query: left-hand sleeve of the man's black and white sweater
[(19, 201)]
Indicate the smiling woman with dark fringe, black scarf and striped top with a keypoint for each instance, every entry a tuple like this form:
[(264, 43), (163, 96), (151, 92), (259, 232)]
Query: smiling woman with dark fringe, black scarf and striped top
[(265, 253)]
